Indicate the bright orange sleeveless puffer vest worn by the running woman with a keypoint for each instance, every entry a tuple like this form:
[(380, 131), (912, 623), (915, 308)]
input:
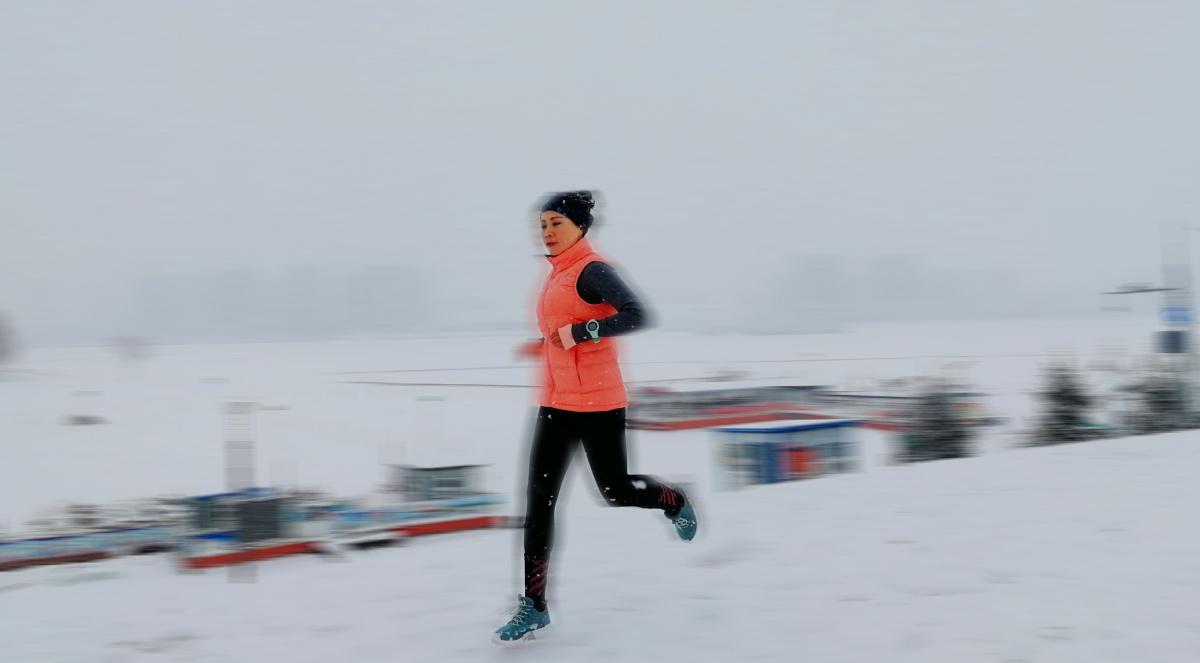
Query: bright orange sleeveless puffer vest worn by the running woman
[(585, 378)]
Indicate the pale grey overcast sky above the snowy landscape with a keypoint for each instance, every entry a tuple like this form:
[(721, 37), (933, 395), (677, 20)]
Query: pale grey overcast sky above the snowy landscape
[(1041, 142)]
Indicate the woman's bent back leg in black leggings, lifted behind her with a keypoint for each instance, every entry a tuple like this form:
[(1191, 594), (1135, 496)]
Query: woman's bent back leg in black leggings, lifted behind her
[(604, 441)]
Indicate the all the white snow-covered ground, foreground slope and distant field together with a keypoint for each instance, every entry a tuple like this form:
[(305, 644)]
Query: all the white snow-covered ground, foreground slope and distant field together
[(1076, 553)]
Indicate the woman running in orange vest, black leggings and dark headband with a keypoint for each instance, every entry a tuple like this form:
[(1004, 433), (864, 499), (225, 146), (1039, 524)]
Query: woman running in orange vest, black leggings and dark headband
[(583, 308)]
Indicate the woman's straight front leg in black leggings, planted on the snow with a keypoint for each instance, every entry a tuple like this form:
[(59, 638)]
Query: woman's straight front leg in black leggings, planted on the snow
[(554, 443)]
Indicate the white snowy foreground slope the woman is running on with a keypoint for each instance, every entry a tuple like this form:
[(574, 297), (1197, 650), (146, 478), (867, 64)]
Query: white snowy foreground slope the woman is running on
[(1078, 553)]
